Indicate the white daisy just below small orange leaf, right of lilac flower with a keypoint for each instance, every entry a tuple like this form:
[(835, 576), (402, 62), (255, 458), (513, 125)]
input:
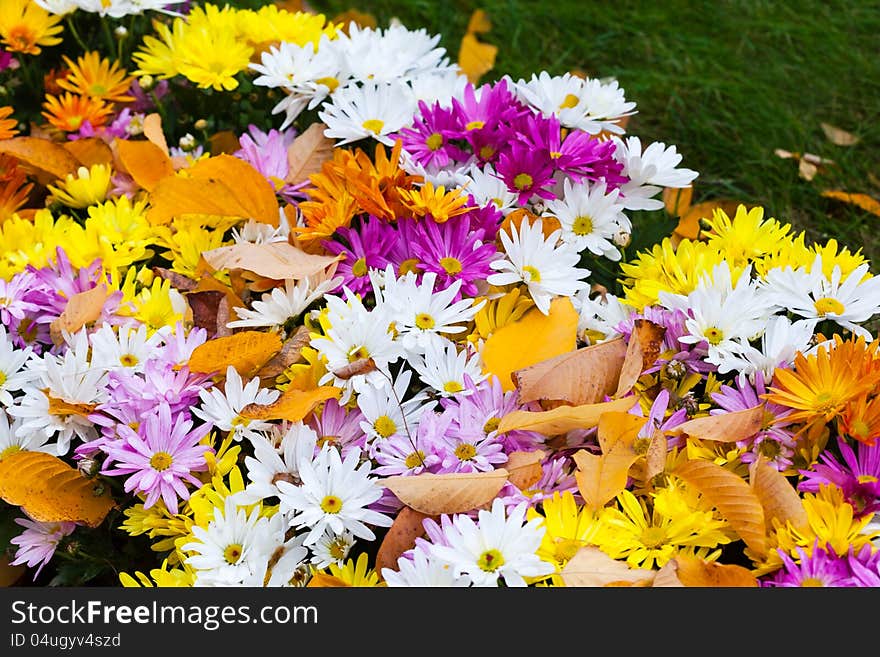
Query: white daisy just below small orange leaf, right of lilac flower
[(223, 408)]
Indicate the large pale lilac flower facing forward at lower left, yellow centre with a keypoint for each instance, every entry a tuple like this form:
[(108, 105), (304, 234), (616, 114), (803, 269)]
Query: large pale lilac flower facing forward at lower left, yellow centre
[(160, 457)]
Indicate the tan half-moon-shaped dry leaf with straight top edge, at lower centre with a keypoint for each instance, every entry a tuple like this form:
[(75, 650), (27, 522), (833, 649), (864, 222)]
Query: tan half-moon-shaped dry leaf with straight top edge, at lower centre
[(454, 492)]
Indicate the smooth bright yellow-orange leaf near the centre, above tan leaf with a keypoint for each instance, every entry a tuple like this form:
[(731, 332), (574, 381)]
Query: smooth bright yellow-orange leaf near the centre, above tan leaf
[(534, 338)]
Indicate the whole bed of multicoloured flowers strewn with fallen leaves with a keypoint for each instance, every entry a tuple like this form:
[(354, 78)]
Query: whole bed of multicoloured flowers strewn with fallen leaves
[(285, 302)]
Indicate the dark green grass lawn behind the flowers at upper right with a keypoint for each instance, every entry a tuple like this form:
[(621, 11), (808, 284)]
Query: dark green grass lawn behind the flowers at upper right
[(727, 82)]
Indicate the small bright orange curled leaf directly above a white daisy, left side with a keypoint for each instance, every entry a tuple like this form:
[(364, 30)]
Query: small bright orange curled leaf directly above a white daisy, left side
[(246, 351)]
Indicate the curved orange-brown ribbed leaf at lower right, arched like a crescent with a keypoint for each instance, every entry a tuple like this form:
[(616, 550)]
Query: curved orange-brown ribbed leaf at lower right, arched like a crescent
[(733, 498)]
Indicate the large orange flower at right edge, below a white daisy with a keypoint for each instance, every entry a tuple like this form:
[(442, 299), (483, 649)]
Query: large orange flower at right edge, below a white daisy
[(820, 386)]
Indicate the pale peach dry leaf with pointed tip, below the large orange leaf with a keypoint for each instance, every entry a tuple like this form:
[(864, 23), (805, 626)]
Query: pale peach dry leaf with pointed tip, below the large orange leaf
[(276, 260)]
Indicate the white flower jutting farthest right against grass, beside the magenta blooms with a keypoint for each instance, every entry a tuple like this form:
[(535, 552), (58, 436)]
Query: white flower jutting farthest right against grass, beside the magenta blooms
[(649, 172)]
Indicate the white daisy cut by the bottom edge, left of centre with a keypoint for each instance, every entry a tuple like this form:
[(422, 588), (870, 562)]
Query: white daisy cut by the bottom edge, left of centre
[(234, 549)]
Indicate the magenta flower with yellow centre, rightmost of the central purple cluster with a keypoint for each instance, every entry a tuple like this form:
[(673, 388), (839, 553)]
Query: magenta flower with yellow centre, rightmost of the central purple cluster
[(454, 253)]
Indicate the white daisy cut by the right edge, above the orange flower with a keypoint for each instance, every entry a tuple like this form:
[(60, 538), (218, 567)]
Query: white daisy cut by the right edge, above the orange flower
[(848, 302)]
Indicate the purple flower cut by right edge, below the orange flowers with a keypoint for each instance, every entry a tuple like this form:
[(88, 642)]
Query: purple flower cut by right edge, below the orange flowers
[(858, 476)]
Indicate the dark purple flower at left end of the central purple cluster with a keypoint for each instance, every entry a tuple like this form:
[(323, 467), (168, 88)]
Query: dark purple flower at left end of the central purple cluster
[(364, 249)]
